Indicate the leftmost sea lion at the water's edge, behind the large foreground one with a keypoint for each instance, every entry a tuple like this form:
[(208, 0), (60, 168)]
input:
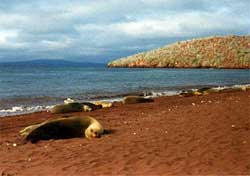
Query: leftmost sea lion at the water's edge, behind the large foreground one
[(66, 108)]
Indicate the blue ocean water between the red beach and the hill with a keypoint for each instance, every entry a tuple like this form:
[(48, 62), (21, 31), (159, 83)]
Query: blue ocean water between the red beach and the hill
[(29, 88)]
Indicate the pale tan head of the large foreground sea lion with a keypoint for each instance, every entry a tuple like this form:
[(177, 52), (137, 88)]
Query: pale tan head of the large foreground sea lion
[(95, 130)]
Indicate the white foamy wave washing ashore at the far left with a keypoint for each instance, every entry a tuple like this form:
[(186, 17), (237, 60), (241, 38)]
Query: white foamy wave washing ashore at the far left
[(18, 110)]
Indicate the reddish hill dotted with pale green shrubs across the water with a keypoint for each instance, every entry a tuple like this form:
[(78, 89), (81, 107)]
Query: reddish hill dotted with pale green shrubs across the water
[(211, 52)]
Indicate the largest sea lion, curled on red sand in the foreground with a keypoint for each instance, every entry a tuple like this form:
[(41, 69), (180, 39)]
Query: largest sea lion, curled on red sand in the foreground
[(64, 128)]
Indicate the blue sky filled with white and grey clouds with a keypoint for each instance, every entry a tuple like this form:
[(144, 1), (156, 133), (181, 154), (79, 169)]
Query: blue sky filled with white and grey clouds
[(101, 30)]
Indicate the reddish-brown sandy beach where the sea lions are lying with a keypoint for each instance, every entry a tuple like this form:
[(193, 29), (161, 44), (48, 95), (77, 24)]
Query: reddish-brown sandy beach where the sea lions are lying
[(172, 135)]
